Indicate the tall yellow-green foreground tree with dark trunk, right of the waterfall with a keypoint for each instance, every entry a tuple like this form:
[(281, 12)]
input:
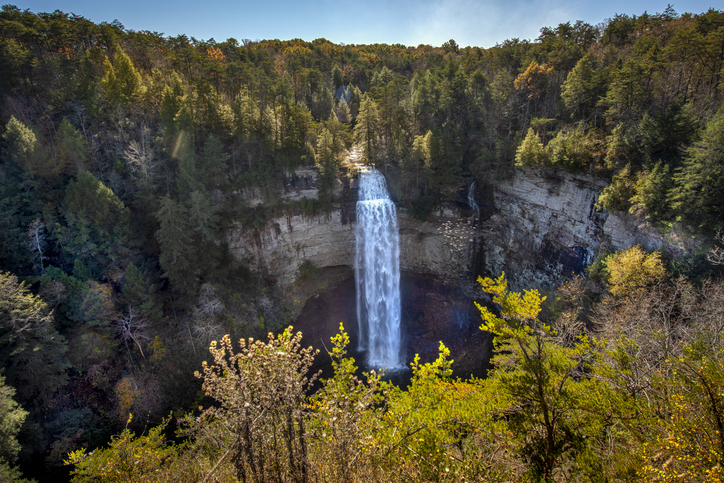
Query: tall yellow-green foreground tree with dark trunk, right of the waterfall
[(556, 407)]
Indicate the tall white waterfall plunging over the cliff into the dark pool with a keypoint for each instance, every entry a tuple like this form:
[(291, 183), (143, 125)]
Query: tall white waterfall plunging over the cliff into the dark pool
[(377, 272)]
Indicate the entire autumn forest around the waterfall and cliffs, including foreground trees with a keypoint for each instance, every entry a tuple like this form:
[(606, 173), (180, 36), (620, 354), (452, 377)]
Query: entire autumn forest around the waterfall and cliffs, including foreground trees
[(133, 348)]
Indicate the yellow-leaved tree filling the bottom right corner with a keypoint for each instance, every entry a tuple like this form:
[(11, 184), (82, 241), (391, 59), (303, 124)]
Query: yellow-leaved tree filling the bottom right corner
[(687, 440)]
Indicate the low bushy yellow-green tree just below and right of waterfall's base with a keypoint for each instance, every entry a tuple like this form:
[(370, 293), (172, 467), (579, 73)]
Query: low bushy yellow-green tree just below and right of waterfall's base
[(442, 429)]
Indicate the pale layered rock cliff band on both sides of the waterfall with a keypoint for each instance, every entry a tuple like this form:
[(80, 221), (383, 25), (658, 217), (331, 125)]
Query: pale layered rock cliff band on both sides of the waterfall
[(538, 230)]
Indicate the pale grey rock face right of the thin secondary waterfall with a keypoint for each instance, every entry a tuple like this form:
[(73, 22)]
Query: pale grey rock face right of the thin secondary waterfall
[(542, 230)]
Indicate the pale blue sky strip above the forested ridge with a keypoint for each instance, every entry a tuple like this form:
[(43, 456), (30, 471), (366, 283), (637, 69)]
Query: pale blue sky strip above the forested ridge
[(481, 23)]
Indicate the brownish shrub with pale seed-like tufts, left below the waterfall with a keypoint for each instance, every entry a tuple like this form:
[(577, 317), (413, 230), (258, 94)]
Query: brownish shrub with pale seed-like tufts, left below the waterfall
[(260, 415)]
